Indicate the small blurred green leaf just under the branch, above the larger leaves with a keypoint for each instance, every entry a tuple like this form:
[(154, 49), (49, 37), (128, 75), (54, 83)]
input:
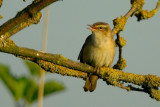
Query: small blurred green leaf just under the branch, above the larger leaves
[(33, 68)]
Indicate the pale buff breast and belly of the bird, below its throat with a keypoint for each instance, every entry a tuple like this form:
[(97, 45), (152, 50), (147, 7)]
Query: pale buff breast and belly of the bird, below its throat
[(100, 54)]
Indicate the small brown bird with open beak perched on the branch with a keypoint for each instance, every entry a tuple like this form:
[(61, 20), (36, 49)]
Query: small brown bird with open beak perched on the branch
[(97, 51)]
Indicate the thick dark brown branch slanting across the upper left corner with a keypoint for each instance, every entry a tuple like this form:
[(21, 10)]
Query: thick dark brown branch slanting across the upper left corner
[(23, 16)]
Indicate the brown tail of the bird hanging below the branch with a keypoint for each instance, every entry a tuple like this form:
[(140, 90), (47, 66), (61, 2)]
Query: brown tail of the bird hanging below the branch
[(91, 82)]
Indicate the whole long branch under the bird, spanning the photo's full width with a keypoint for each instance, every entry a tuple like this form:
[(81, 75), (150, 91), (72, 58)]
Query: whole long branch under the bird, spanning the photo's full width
[(61, 65)]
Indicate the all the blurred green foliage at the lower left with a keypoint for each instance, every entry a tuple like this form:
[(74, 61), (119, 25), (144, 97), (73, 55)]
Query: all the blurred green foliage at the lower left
[(26, 87)]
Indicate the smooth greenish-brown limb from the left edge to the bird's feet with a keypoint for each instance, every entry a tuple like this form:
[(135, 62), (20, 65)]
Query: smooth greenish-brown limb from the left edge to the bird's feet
[(9, 47)]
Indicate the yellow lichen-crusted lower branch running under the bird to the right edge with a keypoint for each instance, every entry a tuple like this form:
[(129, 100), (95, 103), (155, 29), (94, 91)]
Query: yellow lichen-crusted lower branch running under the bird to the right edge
[(149, 83)]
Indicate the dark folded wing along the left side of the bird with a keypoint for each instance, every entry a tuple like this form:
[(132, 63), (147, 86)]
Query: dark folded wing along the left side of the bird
[(80, 57)]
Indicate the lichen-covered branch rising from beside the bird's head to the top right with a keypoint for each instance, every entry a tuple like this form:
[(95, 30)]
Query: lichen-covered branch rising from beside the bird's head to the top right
[(136, 7)]
